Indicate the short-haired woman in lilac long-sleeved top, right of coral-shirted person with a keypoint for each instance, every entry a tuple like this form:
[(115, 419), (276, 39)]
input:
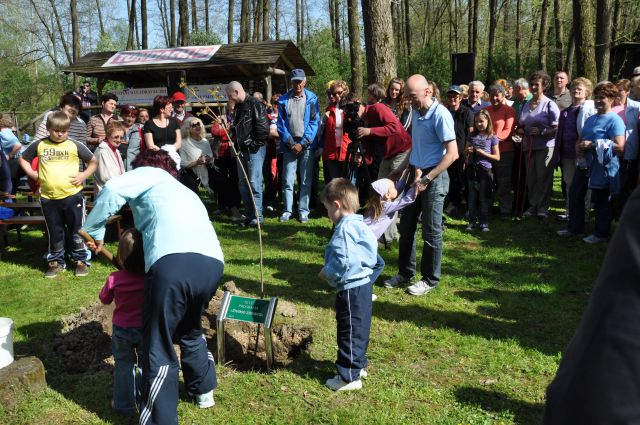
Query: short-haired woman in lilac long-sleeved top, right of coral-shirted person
[(537, 126)]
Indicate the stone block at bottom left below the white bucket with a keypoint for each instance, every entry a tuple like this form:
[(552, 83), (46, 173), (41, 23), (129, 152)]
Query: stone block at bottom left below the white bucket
[(23, 375)]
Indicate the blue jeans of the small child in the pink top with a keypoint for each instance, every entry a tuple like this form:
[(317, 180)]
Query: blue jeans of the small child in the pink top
[(126, 343)]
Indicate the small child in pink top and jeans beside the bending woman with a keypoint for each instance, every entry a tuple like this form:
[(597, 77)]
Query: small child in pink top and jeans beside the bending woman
[(126, 287)]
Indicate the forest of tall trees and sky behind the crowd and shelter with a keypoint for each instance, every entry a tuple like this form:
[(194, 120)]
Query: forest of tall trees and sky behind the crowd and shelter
[(359, 41)]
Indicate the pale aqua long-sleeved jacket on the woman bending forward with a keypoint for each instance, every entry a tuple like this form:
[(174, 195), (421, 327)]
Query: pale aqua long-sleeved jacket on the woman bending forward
[(171, 218)]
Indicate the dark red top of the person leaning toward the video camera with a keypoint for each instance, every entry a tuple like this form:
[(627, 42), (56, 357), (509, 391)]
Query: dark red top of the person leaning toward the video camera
[(386, 129)]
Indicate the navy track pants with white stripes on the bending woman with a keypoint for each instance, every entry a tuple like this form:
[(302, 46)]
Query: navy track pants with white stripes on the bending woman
[(177, 290)]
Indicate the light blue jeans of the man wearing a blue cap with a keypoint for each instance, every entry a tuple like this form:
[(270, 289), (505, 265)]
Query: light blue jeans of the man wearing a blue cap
[(291, 162)]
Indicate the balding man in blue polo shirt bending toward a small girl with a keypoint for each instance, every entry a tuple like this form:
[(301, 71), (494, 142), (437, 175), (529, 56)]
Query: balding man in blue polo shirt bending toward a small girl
[(434, 149)]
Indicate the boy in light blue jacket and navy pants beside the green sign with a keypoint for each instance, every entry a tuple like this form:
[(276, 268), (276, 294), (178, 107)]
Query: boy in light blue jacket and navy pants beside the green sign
[(349, 266)]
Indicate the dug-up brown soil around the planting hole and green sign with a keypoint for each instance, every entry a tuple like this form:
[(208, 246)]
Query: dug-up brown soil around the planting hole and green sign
[(84, 343)]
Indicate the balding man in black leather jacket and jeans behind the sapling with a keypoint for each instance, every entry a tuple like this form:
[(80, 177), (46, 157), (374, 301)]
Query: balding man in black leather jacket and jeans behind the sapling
[(249, 132)]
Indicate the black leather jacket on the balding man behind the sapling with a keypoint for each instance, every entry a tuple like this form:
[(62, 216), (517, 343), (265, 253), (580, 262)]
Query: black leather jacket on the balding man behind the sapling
[(250, 126)]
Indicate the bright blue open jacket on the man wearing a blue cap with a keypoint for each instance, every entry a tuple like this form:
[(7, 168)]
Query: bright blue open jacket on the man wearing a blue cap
[(311, 121)]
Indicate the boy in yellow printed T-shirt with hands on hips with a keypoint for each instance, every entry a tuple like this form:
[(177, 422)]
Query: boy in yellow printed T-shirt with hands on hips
[(63, 204)]
